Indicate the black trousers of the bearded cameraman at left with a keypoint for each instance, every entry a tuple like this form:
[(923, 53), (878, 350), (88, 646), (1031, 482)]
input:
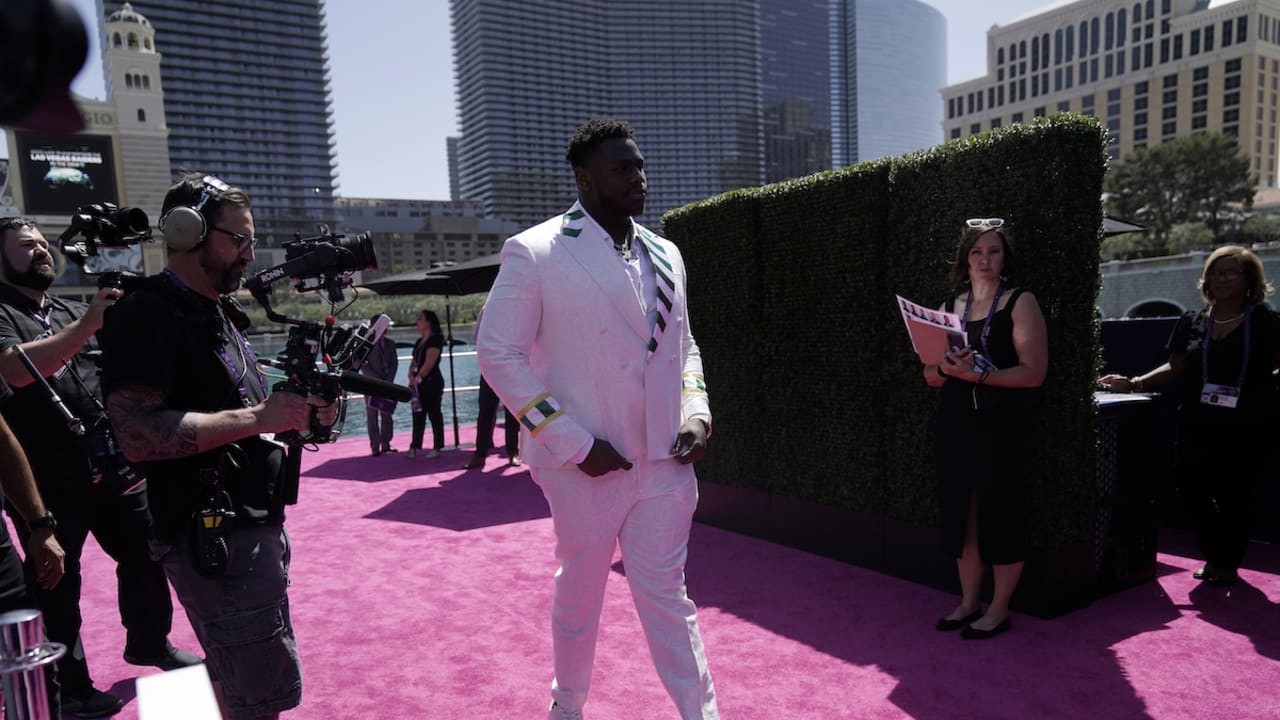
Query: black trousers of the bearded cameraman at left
[(120, 526)]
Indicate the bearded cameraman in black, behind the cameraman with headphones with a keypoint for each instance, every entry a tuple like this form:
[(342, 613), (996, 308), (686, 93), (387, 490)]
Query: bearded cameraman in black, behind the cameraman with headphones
[(76, 475)]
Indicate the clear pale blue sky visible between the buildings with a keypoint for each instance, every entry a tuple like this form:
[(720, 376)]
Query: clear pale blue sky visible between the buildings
[(392, 71)]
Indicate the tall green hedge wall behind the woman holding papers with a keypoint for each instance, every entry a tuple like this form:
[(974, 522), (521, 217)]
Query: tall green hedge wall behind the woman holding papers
[(815, 388)]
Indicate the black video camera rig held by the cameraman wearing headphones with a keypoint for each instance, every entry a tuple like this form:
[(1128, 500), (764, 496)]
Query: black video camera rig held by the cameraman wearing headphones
[(326, 263)]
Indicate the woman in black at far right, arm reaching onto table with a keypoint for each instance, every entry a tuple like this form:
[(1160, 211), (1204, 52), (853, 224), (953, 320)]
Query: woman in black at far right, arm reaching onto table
[(1224, 354)]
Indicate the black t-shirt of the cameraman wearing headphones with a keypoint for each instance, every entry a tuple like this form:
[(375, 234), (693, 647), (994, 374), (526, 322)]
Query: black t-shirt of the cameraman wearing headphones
[(166, 338)]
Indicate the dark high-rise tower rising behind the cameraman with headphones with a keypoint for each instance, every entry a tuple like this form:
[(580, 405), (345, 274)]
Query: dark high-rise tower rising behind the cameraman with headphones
[(248, 99)]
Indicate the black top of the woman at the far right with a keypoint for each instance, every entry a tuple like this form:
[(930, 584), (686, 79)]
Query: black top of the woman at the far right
[(1258, 400)]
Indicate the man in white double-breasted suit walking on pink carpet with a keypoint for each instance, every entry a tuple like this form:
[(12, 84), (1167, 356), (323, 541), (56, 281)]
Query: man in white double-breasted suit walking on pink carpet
[(587, 334)]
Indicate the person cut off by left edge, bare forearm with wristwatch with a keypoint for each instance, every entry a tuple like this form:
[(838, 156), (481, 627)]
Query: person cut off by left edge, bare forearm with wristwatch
[(47, 557)]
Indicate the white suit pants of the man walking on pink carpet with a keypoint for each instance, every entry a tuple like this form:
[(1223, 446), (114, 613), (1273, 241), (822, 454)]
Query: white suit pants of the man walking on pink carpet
[(647, 512)]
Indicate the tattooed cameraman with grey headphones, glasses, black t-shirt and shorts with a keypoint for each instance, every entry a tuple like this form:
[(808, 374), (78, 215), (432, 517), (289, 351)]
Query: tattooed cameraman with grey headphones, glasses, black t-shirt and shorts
[(190, 407)]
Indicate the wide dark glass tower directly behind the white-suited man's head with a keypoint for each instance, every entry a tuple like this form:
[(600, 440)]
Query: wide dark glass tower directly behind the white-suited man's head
[(529, 72)]
